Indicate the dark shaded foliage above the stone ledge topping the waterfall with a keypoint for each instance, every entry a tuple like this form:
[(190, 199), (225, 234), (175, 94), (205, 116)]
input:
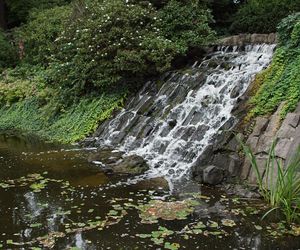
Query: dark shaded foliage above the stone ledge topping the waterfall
[(262, 16)]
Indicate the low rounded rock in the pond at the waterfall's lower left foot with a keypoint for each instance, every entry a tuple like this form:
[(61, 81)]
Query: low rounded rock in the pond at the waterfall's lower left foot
[(131, 165)]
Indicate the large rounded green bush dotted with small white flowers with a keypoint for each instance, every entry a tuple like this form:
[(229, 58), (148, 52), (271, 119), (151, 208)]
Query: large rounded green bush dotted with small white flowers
[(109, 42)]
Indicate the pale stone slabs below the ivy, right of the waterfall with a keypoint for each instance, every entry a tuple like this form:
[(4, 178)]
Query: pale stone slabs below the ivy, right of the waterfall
[(286, 133)]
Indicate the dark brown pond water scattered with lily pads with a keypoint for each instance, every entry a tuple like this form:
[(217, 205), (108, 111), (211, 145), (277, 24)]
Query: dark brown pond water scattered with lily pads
[(51, 197)]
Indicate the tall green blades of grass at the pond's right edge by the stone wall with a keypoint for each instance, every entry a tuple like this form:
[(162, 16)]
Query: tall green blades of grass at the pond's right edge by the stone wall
[(278, 184)]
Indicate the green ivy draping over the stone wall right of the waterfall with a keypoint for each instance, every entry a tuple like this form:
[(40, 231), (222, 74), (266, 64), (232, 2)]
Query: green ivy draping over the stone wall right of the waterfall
[(281, 82)]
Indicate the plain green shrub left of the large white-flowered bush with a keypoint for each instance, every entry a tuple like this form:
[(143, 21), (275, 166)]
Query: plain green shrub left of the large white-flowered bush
[(39, 34)]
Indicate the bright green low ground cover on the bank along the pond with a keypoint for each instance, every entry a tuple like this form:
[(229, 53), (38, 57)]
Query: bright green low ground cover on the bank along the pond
[(71, 125)]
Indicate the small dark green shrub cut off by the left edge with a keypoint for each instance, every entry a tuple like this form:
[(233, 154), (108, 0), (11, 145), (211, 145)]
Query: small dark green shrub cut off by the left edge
[(8, 53)]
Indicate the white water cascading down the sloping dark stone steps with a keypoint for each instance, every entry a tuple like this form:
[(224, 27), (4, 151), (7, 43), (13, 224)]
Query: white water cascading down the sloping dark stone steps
[(171, 121)]
